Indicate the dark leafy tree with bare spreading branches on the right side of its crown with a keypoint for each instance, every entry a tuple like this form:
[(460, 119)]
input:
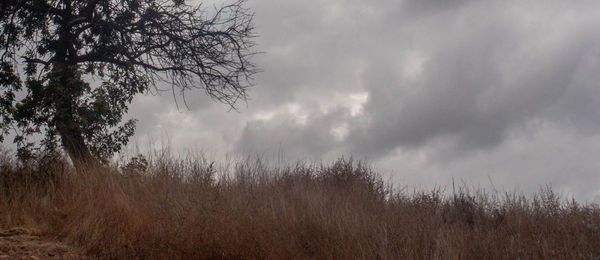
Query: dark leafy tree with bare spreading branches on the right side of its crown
[(70, 68)]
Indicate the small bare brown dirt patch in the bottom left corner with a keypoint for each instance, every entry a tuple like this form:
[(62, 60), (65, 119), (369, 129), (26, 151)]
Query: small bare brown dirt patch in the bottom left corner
[(22, 243)]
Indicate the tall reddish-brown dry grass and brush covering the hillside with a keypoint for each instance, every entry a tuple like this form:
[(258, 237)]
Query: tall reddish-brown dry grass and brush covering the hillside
[(190, 209)]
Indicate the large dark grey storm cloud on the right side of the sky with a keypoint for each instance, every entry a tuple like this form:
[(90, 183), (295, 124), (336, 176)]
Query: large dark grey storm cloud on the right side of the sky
[(479, 84)]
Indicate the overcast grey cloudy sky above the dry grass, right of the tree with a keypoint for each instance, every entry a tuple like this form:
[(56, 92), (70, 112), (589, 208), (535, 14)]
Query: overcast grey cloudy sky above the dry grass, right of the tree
[(501, 95)]
